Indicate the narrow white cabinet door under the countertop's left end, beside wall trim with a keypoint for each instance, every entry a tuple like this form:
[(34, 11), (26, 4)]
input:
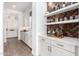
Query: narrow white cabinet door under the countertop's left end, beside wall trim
[(44, 48)]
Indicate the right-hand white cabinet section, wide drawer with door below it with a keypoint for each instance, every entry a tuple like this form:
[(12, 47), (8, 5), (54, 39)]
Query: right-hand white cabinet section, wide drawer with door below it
[(62, 49)]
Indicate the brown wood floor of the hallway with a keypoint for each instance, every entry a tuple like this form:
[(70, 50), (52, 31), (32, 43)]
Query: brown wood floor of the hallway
[(15, 47)]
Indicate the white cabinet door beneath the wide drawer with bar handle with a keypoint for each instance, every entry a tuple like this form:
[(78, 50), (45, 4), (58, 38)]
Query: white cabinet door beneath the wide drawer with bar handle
[(60, 52)]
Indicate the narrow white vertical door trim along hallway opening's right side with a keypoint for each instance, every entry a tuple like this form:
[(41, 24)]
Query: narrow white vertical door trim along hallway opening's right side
[(34, 28)]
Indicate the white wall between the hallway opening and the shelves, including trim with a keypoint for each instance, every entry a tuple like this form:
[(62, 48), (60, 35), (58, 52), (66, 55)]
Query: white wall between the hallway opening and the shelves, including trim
[(38, 24)]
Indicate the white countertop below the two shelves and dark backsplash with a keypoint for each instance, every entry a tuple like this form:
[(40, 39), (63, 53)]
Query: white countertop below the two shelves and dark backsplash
[(68, 40)]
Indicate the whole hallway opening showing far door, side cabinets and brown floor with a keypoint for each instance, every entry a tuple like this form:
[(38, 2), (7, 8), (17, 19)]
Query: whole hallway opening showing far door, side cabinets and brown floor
[(13, 24)]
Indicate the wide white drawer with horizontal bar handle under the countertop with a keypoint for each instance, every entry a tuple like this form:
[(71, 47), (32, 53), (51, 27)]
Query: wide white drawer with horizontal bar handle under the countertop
[(65, 46)]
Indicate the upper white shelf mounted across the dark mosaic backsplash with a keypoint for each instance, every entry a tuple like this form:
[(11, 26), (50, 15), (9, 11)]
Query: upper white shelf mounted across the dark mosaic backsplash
[(68, 8)]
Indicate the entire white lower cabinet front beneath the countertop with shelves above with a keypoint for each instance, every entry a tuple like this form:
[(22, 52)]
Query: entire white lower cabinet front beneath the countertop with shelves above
[(52, 48)]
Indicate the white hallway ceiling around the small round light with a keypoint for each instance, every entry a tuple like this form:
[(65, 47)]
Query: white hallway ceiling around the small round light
[(21, 6)]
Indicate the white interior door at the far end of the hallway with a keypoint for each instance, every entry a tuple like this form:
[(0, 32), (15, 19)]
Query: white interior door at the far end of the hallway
[(11, 28)]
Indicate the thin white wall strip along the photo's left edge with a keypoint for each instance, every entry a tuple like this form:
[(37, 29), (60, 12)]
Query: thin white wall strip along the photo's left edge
[(1, 28)]
